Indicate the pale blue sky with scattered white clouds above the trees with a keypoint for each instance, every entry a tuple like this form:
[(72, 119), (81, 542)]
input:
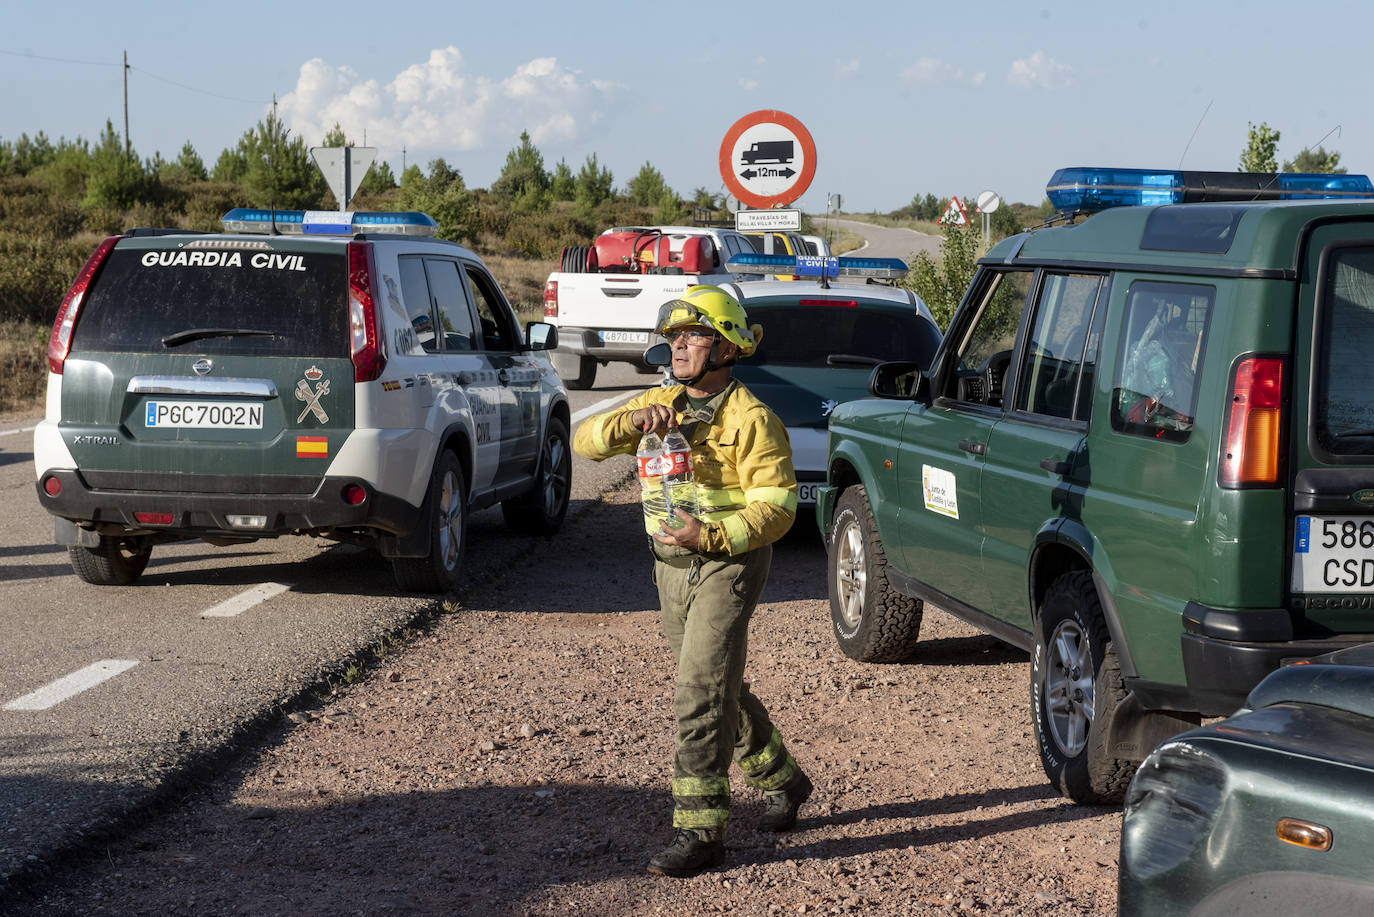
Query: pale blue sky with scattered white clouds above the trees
[(902, 98)]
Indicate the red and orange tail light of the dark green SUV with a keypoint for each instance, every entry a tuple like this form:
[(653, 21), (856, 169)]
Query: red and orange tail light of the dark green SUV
[(1255, 423)]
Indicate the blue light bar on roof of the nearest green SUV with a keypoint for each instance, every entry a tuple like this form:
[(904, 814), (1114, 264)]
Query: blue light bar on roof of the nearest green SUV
[(1089, 190)]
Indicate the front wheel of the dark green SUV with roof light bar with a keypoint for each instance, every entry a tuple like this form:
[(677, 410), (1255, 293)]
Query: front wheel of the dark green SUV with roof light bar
[(873, 622)]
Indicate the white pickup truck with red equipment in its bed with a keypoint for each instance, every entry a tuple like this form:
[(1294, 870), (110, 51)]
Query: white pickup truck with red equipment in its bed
[(607, 295)]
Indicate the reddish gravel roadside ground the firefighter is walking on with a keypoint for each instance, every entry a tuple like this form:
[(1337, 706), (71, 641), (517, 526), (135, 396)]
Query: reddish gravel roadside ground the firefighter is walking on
[(517, 760)]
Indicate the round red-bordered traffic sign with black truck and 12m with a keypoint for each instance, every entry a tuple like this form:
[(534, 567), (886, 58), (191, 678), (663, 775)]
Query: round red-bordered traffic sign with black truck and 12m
[(767, 159)]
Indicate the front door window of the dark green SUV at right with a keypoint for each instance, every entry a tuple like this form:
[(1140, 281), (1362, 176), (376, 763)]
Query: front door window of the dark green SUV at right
[(984, 350)]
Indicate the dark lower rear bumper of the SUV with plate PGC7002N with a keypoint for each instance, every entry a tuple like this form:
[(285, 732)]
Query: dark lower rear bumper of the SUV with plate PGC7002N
[(204, 513)]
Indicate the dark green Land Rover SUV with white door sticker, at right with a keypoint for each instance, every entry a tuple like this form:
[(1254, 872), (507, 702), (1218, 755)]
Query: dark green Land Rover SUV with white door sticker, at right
[(1144, 453)]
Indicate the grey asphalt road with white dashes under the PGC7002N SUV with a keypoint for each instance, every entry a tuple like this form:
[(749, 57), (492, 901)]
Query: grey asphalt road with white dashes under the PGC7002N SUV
[(160, 680)]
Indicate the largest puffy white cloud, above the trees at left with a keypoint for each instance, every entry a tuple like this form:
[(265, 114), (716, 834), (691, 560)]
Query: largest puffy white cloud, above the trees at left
[(439, 105)]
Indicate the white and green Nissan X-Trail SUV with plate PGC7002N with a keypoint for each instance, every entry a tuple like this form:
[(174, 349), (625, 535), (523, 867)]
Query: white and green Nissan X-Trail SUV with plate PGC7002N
[(332, 375)]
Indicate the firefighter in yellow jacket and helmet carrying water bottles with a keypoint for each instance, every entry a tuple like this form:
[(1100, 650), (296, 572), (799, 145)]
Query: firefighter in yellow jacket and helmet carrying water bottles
[(712, 570)]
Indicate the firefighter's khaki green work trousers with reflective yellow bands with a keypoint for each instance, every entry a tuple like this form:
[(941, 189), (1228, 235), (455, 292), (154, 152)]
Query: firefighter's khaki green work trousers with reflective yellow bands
[(707, 606)]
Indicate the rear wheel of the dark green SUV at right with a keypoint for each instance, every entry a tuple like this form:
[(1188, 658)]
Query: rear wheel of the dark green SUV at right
[(1077, 694)]
